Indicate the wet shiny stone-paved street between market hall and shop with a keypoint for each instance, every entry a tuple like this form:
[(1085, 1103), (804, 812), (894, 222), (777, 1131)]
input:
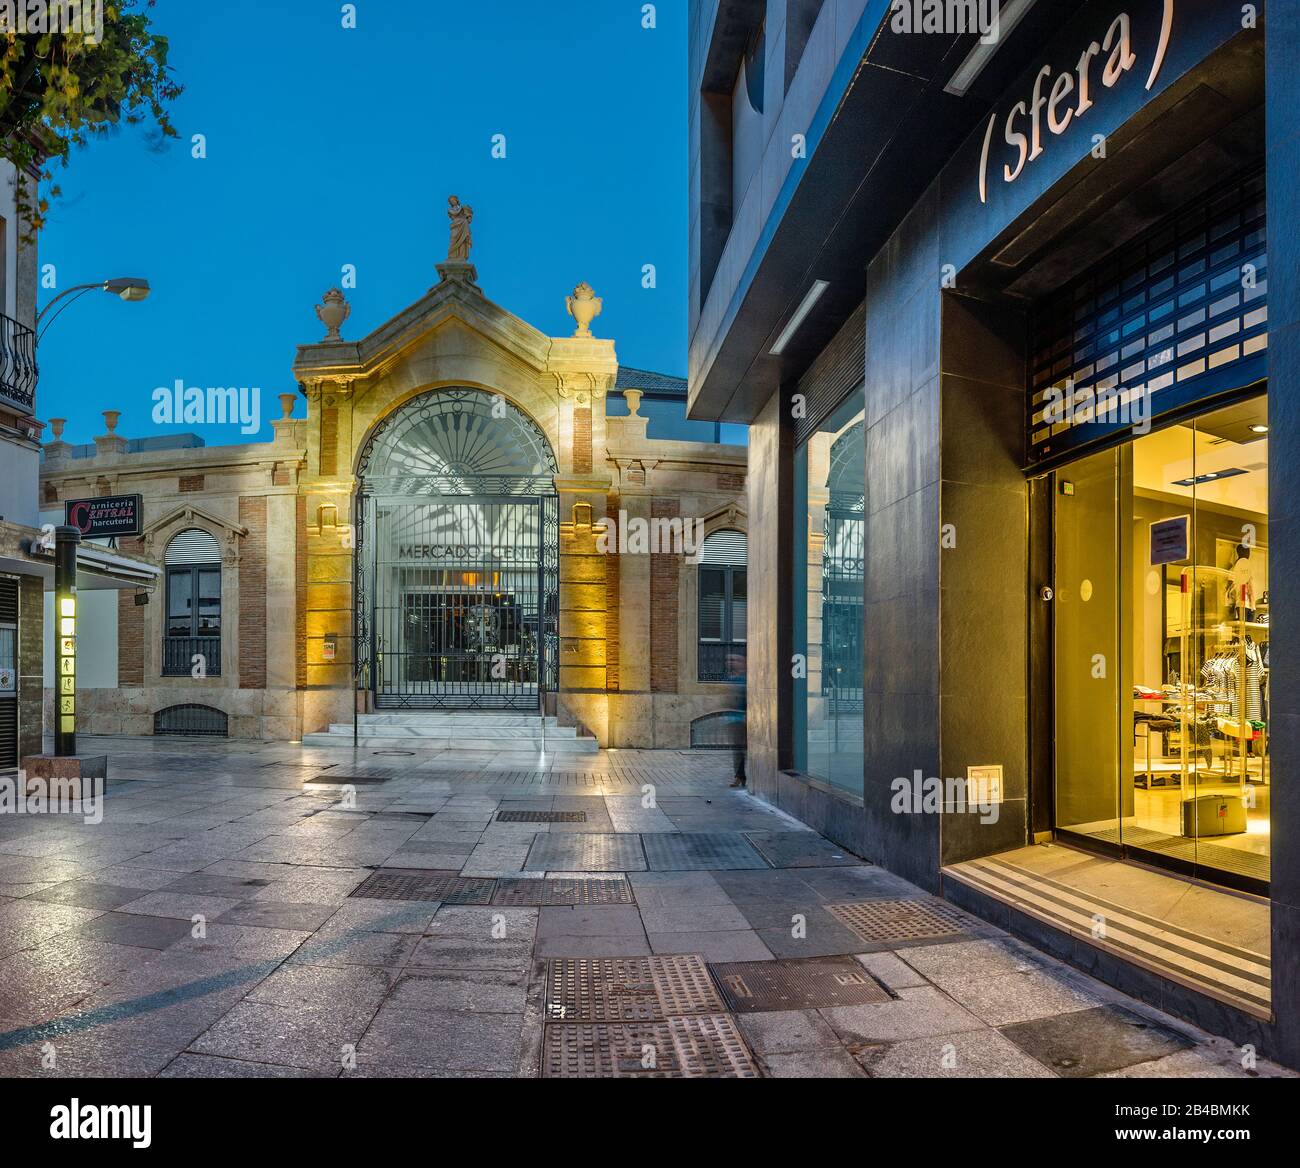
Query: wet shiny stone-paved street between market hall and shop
[(280, 911)]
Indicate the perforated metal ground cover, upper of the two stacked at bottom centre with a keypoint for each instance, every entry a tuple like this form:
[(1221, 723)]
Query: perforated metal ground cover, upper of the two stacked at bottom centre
[(629, 989)]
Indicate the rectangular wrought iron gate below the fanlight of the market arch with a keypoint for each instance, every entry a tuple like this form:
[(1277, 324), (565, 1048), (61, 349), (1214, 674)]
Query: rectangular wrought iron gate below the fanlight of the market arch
[(463, 611)]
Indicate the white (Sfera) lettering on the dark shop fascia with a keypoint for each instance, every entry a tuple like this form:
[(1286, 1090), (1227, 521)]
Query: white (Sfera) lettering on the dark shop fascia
[(1063, 97)]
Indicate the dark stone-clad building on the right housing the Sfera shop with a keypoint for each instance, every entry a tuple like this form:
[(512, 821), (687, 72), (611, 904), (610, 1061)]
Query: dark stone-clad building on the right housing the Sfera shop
[(1013, 322)]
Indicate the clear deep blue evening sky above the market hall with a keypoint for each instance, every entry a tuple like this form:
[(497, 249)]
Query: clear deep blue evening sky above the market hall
[(330, 148)]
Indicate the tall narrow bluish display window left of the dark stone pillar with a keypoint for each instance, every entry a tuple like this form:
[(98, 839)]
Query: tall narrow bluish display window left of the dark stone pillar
[(830, 574)]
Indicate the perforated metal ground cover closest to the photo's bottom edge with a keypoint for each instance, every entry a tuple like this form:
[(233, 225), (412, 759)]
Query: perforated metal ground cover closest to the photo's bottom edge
[(701, 1046)]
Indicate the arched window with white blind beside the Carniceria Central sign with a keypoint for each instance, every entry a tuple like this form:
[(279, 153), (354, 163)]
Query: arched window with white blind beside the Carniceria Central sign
[(193, 628)]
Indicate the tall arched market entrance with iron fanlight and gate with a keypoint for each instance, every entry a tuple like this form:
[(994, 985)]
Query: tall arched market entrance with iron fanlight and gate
[(458, 557)]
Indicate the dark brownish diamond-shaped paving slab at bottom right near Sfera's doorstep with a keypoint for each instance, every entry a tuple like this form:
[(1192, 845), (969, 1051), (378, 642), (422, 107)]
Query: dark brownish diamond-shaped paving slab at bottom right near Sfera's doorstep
[(1095, 1041)]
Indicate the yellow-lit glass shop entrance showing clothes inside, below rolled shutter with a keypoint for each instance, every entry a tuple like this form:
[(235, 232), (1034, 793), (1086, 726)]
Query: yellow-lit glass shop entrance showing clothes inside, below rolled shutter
[(1163, 664)]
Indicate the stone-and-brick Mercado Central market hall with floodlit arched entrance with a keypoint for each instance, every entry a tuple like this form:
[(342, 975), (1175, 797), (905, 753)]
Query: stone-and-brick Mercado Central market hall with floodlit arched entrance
[(437, 538)]
